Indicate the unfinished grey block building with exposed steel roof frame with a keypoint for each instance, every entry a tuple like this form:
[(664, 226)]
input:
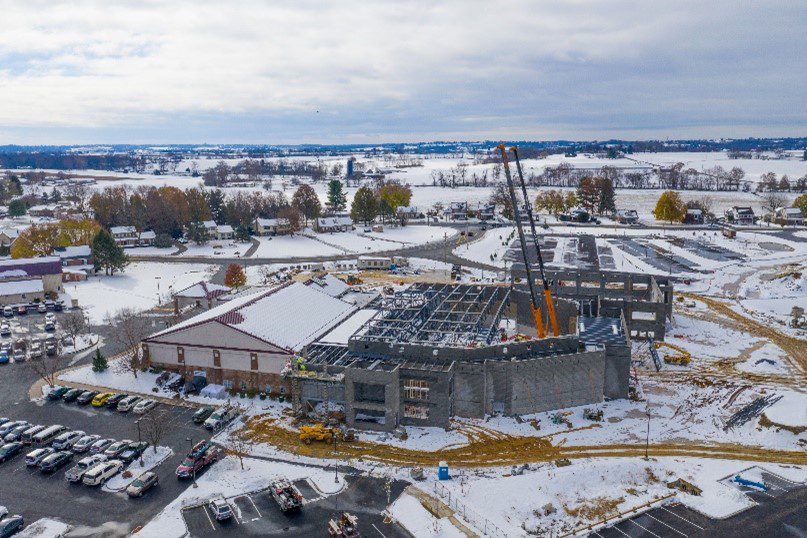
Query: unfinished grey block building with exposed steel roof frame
[(433, 351)]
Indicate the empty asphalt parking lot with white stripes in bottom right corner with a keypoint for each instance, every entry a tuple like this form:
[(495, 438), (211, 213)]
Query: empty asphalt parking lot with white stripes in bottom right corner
[(772, 517)]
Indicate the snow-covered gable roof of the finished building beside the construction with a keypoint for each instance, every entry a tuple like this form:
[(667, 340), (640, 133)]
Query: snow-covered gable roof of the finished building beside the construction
[(289, 317)]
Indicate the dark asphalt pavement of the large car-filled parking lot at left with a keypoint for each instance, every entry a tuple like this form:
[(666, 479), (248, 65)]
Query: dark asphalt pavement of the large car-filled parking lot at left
[(93, 511)]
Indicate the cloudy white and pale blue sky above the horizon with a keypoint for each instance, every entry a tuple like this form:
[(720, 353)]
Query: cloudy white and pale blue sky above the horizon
[(365, 71)]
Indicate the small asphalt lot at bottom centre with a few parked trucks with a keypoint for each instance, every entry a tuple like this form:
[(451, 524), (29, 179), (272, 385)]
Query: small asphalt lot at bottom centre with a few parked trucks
[(257, 514)]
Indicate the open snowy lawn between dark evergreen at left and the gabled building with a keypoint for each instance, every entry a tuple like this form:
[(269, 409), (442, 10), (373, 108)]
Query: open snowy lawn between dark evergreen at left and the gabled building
[(141, 286)]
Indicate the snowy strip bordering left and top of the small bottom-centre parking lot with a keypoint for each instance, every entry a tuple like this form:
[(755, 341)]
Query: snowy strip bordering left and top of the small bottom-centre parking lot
[(226, 478)]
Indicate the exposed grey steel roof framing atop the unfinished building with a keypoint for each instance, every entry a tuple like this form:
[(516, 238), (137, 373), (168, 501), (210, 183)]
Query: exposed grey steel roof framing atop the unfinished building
[(439, 314)]
